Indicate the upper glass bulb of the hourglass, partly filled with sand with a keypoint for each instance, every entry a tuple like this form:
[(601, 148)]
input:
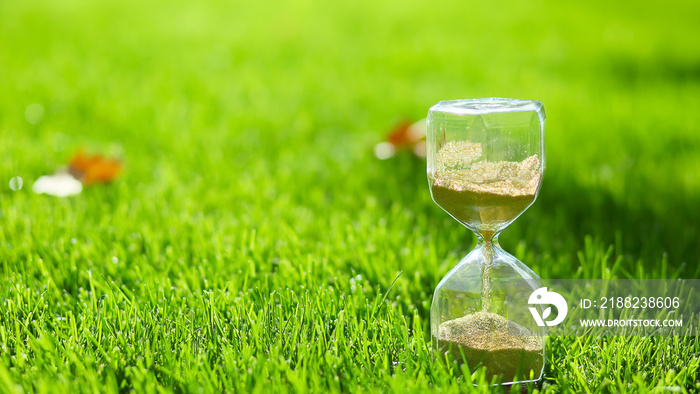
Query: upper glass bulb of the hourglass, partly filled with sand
[(485, 159)]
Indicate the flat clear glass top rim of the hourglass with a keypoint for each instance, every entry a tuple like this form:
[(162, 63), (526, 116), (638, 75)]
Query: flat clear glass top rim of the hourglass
[(489, 105)]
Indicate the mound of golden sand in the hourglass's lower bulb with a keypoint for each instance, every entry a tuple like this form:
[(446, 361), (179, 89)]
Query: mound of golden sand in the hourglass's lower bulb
[(504, 347)]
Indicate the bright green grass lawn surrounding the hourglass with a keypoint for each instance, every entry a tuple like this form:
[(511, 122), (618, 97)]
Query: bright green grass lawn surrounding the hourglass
[(252, 240)]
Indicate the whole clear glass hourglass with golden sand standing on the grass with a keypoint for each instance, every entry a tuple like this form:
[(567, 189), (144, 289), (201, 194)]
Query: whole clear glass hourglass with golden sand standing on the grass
[(485, 165)]
